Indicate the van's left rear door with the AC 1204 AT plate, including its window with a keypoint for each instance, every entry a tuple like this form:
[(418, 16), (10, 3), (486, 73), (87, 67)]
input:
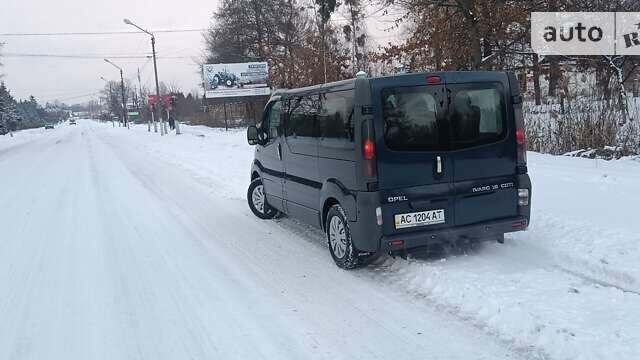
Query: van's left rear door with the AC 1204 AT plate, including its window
[(415, 171)]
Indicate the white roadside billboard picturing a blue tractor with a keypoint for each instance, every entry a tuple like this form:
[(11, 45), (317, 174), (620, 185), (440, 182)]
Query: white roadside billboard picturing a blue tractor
[(237, 79)]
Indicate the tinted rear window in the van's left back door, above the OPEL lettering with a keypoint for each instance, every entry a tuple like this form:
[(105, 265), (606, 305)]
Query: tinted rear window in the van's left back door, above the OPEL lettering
[(410, 119)]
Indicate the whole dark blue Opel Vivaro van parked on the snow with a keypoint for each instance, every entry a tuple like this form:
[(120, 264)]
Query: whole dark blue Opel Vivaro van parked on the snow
[(393, 163)]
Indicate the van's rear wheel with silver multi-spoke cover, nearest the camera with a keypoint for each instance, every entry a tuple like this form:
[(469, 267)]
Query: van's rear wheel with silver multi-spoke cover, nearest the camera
[(341, 247)]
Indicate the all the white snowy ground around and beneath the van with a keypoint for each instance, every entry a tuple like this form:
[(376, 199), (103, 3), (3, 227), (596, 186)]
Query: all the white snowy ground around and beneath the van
[(122, 244)]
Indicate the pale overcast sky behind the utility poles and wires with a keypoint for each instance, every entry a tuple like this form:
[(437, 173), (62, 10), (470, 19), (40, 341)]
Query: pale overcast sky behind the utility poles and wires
[(71, 80)]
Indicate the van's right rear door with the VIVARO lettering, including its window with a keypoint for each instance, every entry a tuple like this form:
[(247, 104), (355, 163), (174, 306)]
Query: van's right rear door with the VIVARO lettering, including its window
[(483, 148)]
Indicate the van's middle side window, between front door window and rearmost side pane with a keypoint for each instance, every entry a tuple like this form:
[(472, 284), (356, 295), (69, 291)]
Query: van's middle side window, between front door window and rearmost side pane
[(302, 112)]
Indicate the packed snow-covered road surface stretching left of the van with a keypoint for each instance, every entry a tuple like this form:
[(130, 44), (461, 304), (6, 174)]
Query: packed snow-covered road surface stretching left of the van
[(108, 252)]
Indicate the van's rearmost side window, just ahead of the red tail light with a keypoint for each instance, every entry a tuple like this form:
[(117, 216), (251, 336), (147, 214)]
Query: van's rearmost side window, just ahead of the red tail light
[(335, 120)]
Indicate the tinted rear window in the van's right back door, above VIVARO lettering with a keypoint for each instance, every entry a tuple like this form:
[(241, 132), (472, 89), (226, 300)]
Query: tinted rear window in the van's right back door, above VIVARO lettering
[(477, 117)]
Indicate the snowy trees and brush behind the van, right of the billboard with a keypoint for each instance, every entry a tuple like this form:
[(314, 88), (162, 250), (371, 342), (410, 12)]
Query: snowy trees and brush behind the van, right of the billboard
[(572, 101)]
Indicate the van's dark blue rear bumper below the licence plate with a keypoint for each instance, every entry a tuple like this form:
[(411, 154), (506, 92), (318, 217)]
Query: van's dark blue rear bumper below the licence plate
[(475, 231)]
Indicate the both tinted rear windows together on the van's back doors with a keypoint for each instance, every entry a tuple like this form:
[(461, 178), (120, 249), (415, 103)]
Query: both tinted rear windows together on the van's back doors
[(413, 120)]
